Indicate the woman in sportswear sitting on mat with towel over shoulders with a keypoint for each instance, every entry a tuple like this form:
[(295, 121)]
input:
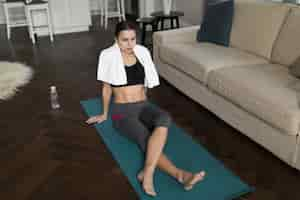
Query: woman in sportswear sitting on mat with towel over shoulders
[(126, 70)]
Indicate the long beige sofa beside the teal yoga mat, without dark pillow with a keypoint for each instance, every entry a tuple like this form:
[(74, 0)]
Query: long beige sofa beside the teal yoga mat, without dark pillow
[(248, 84)]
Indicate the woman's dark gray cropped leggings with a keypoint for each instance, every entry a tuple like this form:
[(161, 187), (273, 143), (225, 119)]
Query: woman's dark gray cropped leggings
[(137, 120)]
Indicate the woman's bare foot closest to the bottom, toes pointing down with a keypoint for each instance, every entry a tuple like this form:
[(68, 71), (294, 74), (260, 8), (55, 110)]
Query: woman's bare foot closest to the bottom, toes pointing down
[(147, 181)]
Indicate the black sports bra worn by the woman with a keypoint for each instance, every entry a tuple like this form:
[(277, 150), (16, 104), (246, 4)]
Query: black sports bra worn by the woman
[(135, 74)]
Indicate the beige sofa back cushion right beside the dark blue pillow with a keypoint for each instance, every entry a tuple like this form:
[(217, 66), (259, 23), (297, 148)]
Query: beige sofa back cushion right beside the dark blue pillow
[(256, 25)]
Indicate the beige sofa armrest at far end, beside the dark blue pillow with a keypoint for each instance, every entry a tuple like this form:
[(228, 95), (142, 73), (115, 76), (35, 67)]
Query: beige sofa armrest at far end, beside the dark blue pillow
[(181, 35)]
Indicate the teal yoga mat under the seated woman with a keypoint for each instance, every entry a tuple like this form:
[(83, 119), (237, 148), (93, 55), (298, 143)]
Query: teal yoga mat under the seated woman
[(219, 184)]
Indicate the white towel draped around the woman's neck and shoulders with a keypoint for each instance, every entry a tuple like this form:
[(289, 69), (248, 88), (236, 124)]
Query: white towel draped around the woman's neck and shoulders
[(111, 68)]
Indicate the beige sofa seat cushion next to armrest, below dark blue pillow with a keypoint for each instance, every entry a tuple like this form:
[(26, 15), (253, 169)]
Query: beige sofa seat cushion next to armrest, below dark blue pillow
[(198, 59)]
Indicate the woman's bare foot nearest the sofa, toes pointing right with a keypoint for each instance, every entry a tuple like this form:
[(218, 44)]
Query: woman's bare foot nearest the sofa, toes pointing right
[(189, 180)]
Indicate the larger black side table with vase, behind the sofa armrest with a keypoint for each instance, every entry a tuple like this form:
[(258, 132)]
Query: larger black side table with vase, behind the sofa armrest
[(161, 17)]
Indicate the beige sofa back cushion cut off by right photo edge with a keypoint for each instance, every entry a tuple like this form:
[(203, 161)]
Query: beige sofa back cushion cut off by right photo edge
[(287, 46)]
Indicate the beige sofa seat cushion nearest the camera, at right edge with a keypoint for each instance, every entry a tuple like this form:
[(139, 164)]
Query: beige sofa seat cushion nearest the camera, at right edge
[(267, 91)]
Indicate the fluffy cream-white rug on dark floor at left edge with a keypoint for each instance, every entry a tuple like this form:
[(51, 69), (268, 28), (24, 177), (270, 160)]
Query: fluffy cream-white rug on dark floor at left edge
[(12, 76)]
